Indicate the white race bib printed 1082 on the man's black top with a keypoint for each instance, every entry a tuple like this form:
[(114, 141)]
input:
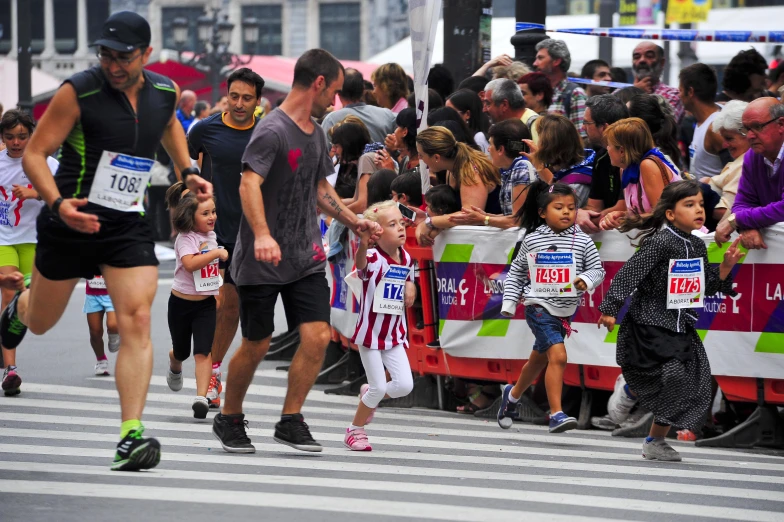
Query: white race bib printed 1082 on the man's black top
[(120, 182)]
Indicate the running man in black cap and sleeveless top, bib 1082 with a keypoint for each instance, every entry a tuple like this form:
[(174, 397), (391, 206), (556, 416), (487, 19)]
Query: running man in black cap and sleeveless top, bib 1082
[(109, 120)]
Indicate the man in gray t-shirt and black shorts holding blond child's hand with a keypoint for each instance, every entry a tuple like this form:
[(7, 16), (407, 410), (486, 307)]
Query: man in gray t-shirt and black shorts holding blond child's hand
[(279, 252)]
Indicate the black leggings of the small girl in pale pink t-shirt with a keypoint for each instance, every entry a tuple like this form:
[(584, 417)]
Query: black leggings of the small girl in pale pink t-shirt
[(194, 319)]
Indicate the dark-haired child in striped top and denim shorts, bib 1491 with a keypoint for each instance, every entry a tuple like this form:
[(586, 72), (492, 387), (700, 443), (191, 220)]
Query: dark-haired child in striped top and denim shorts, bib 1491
[(548, 216)]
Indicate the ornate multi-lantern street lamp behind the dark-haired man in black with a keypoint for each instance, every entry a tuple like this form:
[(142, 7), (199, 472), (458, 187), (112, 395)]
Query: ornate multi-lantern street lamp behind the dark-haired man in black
[(214, 35)]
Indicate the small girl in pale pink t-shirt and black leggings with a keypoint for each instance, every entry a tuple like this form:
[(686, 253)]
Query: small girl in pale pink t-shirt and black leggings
[(192, 311)]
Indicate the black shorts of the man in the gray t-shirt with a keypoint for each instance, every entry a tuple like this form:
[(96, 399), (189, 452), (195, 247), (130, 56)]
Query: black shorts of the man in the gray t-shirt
[(308, 296)]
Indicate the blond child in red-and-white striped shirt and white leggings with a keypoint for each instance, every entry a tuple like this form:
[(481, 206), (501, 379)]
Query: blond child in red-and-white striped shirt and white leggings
[(382, 338)]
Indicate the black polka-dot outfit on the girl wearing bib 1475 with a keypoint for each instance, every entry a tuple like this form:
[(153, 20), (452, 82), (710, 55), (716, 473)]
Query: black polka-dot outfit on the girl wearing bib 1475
[(659, 351)]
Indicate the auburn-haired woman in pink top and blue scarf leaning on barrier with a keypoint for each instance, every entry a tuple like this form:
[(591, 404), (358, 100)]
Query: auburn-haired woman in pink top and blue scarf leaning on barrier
[(645, 171)]
